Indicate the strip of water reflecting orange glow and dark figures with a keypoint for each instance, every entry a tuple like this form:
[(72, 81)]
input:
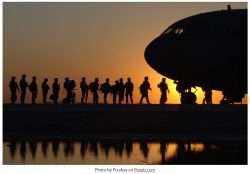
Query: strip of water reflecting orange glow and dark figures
[(124, 152)]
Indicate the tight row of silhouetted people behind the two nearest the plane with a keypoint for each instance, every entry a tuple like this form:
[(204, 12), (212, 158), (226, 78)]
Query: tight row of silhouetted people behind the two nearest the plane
[(118, 89)]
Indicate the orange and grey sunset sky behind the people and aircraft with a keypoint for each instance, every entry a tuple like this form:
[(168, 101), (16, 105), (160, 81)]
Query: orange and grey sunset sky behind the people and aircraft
[(91, 39)]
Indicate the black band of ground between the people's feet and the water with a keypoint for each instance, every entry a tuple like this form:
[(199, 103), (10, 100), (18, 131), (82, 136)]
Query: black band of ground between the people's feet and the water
[(125, 121)]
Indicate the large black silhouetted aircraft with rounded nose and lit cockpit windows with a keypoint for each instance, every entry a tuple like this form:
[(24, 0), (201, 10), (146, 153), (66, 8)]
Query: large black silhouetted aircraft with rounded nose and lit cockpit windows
[(208, 50)]
